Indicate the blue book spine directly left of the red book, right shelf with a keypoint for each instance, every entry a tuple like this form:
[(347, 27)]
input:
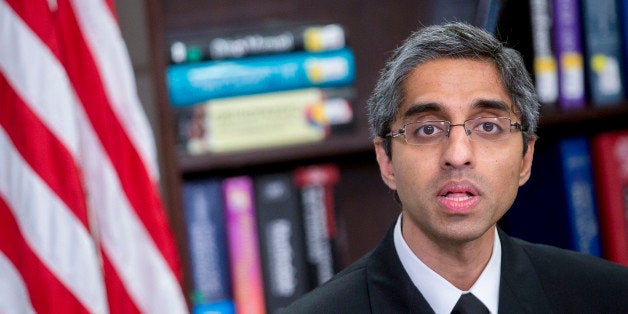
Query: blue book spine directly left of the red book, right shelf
[(580, 194)]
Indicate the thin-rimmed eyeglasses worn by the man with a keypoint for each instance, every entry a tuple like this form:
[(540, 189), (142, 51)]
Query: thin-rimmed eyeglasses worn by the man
[(482, 129)]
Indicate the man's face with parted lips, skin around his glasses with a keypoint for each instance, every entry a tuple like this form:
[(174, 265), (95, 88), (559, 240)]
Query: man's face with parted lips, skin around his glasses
[(454, 191)]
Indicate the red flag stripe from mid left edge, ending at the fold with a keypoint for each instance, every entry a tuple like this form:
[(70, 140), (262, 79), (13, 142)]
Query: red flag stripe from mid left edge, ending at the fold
[(42, 151)]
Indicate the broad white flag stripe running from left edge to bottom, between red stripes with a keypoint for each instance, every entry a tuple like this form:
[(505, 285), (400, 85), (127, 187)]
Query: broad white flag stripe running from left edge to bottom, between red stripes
[(53, 232)]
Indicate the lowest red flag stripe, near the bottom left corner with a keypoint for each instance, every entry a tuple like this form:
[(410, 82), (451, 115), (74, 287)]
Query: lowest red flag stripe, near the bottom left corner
[(45, 290)]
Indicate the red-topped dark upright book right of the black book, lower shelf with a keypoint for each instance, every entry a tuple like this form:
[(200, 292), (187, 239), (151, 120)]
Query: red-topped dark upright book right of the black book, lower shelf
[(316, 188)]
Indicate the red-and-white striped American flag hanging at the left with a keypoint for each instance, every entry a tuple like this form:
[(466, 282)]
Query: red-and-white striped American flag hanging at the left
[(82, 225)]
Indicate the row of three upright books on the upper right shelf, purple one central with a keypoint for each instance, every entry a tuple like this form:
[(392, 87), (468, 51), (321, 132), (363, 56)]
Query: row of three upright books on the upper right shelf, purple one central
[(579, 52)]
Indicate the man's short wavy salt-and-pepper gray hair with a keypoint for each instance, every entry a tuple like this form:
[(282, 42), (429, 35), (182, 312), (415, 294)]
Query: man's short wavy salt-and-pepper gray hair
[(459, 41)]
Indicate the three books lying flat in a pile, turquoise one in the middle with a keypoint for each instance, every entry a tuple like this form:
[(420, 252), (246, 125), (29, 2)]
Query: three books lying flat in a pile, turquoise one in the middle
[(272, 85)]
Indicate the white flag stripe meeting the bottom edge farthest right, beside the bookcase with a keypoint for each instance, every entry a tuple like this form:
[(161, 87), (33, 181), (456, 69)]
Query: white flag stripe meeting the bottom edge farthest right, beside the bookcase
[(125, 240)]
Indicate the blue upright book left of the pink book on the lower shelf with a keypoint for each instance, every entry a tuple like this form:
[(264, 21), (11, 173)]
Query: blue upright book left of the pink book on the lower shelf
[(205, 226)]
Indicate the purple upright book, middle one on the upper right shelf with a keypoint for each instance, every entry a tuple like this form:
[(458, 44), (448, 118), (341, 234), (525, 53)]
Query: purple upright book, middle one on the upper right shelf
[(568, 49)]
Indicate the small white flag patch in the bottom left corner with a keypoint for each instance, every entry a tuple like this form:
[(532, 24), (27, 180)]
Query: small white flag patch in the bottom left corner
[(13, 294)]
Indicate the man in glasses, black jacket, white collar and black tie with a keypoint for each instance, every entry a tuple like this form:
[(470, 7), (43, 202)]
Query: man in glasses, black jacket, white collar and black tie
[(454, 116)]
